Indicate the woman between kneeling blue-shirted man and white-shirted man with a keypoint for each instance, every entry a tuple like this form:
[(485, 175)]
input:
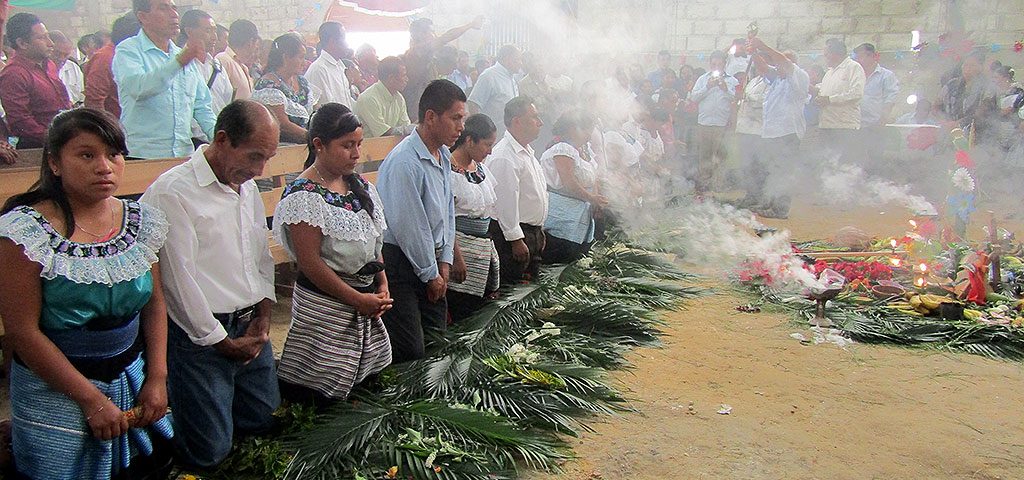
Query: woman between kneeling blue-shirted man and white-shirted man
[(474, 189)]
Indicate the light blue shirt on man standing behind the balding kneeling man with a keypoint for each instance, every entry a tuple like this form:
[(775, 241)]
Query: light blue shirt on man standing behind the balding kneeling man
[(159, 100)]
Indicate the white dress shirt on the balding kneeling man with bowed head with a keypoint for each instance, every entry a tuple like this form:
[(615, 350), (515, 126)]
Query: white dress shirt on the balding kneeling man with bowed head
[(217, 258)]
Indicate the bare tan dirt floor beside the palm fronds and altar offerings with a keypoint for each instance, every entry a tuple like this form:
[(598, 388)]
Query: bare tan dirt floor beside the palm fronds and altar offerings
[(802, 412)]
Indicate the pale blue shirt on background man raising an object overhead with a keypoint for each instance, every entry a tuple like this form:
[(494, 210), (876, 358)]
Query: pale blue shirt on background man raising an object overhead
[(785, 101)]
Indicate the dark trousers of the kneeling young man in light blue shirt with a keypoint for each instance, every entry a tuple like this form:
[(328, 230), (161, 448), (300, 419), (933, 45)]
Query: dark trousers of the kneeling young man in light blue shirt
[(412, 315)]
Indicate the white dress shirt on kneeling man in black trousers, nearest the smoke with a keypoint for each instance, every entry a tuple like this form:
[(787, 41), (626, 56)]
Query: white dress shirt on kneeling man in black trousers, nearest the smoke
[(521, 187)]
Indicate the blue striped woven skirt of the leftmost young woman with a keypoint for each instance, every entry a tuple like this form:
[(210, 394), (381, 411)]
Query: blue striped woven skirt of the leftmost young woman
[(52, 438)]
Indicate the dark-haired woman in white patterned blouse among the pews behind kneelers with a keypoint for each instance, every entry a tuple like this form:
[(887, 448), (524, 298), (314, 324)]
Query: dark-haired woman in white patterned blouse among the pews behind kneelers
[(284, 91)]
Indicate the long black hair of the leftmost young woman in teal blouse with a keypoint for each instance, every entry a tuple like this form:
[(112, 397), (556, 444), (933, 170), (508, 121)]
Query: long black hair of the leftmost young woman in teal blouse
[(66, 126)]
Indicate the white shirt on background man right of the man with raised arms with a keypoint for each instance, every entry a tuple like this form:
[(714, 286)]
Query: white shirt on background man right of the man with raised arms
[(844, 85)]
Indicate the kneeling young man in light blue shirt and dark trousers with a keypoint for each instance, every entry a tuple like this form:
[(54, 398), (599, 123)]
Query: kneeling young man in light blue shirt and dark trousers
[(415, 187)]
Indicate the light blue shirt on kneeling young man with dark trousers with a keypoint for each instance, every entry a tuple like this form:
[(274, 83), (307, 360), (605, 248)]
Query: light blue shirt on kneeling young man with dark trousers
[(416, 191)]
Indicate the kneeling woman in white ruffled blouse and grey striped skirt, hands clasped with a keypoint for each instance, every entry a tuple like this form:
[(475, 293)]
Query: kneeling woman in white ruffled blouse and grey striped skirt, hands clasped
[(331, 223)]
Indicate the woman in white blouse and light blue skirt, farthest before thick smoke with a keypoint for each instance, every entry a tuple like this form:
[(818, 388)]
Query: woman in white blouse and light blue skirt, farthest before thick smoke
[(573, 191)]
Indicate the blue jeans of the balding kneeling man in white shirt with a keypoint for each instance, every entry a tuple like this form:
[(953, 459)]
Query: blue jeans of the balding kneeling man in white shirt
[(212, 397)]
